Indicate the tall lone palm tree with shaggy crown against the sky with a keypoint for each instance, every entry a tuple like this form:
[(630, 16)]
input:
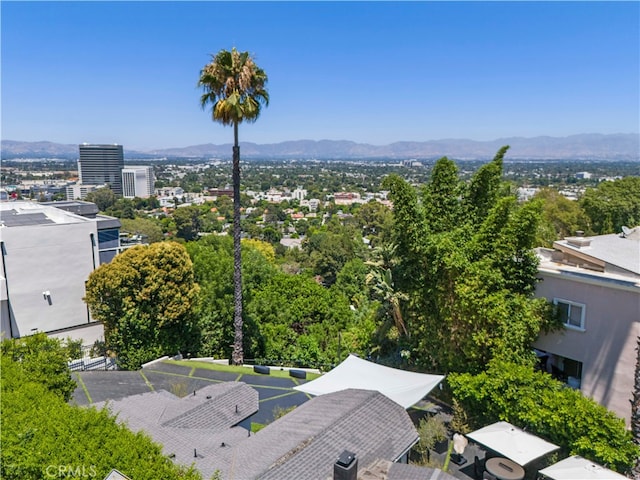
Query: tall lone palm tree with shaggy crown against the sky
[(234, 86)]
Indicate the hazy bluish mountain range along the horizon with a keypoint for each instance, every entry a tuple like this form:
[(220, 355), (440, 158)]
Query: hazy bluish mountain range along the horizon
[(574, 147)]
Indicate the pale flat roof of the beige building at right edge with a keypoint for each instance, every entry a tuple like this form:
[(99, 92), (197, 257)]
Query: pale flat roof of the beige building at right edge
[(616, 250)]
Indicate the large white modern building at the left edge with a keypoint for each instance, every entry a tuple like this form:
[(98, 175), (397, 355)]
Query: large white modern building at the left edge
[(47, 256)]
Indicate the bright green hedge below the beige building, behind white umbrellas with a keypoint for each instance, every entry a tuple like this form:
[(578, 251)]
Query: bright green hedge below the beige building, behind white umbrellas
[(527, 398)]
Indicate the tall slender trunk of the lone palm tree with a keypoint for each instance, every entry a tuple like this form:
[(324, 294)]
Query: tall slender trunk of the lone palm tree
[(237, 356)]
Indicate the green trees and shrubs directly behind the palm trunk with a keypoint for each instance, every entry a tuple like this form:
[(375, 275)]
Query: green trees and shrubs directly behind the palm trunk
[(289, 318)]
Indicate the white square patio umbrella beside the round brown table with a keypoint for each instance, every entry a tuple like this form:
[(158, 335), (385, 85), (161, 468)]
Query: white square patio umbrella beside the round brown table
[(512, 442)]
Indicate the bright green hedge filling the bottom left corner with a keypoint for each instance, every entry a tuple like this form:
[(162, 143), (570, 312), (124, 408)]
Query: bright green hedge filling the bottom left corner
[(42, 436)]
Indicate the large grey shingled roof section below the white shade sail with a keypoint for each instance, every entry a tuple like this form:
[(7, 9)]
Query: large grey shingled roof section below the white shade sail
[(305, 443)]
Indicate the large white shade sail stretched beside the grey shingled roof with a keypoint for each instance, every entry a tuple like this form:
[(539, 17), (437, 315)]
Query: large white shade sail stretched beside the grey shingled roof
[(404, 388)]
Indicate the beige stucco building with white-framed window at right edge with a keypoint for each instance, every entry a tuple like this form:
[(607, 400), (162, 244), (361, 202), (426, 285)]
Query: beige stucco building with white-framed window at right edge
[(595, 284)]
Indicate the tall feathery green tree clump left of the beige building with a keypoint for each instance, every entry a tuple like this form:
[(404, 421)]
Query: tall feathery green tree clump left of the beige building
[(465, 262)]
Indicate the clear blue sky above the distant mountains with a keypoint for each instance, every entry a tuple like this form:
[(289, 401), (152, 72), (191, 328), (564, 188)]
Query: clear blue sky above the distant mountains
[(372, 72)]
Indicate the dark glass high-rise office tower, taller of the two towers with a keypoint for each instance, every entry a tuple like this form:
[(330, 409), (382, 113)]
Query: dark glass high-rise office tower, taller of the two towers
[(100, 164)]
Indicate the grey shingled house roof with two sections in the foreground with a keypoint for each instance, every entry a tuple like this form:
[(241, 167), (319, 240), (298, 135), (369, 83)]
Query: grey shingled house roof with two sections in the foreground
[(205, 429)]
